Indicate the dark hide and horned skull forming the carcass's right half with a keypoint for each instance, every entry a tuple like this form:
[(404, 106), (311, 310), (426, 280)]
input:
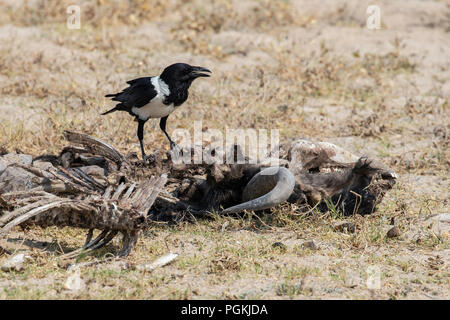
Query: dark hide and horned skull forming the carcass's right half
[(324, 174)]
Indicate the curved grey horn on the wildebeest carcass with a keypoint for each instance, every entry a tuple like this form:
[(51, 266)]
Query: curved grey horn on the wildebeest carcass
[(266, 189)]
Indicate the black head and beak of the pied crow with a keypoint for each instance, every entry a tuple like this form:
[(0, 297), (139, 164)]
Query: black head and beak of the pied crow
[(182, 72)]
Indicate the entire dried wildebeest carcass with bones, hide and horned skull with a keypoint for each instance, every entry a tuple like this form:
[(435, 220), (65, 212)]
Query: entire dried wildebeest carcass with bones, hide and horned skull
[(62, 190)]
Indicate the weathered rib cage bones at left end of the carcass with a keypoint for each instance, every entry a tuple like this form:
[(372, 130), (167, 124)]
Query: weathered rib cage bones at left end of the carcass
[(49, 193)]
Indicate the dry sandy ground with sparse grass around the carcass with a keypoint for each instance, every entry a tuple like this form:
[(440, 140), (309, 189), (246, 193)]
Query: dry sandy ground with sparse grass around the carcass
[(310, 69)]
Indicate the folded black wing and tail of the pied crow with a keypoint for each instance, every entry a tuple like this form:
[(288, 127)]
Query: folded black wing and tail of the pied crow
[(140, 92)]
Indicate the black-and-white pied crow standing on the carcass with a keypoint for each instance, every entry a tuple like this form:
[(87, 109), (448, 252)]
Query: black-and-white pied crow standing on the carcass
[(157, 97)]
